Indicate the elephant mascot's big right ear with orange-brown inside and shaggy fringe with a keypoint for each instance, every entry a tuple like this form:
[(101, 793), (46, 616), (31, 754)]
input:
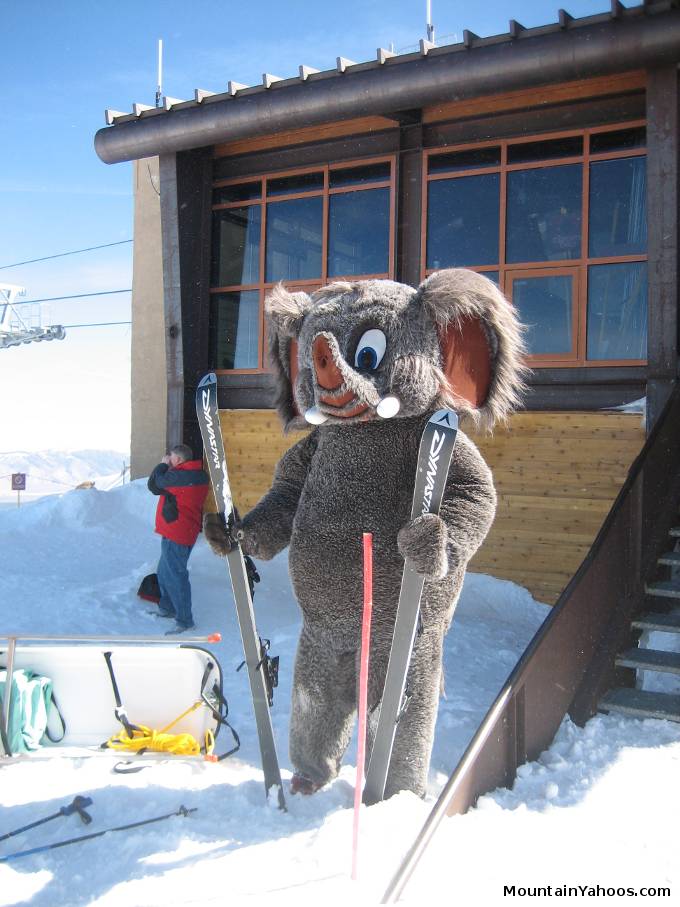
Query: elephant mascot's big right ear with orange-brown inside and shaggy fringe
[(480, 340)]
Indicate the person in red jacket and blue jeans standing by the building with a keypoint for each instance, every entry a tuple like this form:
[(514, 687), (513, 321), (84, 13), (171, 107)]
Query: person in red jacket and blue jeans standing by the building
[(183, 486)]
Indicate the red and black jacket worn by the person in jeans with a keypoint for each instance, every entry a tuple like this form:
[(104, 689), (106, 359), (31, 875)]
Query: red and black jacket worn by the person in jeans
[(182, 491)]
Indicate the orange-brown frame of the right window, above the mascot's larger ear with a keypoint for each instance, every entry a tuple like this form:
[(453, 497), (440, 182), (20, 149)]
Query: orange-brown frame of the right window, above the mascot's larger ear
[(507, 272)]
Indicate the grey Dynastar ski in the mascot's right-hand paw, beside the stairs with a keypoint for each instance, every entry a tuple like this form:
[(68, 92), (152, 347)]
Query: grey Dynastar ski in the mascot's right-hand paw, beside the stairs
[(434, 458)]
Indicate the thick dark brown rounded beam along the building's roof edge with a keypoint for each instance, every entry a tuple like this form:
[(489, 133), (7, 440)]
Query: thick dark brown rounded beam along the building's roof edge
[(590, 46)]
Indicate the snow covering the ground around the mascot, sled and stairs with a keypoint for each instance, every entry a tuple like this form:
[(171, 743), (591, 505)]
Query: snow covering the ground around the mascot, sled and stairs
[(599, 808)]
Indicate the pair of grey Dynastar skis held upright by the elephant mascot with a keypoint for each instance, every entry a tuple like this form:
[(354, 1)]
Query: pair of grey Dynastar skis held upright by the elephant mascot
[(434, 458)]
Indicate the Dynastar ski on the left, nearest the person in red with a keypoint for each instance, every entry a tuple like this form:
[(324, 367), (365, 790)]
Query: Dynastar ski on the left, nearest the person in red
[(255, 652)]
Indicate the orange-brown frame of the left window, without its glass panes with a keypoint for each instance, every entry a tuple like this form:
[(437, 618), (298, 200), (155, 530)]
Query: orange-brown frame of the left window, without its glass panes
[(325, 192)]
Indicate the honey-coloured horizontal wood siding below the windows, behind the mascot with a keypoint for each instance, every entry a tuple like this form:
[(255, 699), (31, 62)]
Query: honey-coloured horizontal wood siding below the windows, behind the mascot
[(557, 475)]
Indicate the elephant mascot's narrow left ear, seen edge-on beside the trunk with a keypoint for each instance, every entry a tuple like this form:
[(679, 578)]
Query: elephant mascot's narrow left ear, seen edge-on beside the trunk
[(285, 313)]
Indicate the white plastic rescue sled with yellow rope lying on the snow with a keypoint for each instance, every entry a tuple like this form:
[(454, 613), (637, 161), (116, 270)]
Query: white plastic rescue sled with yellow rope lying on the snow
[(156, 684)]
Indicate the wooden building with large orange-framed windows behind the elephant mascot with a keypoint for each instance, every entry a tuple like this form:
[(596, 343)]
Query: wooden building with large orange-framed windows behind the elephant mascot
[(546, 158)]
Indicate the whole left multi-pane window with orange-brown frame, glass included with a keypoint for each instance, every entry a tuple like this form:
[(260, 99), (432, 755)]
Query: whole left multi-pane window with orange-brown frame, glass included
[(306, 228)]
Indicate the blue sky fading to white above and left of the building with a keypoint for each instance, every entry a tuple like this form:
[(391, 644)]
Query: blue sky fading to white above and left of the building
[(63, 63)]
